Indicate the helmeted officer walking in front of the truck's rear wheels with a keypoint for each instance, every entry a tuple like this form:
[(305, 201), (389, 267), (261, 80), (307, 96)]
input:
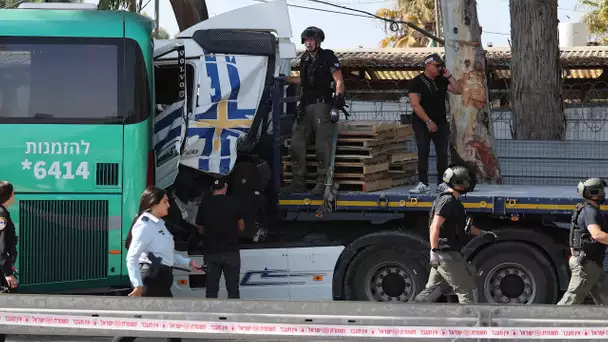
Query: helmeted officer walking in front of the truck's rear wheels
[(448, 226)]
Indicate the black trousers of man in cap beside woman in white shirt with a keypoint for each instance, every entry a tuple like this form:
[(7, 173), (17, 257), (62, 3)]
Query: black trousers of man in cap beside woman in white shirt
[(230, 264)]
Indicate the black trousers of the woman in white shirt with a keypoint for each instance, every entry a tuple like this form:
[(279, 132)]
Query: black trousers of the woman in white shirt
[(156, 284)]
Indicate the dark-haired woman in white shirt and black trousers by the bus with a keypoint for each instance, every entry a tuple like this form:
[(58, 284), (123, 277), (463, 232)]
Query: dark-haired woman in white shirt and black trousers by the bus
[(151, 254)]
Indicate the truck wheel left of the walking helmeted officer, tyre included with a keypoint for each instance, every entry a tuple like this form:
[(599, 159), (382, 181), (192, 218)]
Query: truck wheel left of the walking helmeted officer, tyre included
[(387, 275)]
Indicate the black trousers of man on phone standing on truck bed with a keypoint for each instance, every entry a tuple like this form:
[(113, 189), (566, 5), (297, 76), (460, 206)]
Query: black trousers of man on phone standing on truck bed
[(441, 140)]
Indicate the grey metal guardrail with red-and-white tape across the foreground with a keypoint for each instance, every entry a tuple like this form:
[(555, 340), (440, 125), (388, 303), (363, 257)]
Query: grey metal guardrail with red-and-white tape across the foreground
[(186, 318)]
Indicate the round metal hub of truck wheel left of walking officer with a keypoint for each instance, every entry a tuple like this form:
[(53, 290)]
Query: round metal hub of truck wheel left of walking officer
[(389, 283)]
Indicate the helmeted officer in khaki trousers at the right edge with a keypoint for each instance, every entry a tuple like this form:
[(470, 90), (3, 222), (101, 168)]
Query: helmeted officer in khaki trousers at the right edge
[(588, 242)]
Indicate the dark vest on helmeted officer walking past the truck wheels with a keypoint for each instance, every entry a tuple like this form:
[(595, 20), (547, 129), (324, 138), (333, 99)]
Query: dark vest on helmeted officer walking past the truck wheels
[(451, 232)]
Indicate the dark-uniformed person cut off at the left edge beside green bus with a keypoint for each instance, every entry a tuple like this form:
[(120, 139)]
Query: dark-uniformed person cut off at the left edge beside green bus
[(8, 240)]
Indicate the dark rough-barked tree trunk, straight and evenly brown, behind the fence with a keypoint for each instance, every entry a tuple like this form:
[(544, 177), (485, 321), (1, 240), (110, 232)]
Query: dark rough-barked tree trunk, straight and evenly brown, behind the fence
[(536, 73)]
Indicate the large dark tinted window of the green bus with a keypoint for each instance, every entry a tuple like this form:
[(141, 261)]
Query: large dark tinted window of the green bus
[(72, 80)]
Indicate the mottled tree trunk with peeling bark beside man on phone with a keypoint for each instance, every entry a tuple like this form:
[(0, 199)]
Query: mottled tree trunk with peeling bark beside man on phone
[(471, 138)]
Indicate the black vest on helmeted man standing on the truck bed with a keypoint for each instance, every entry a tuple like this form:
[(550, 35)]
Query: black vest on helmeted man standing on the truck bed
[(316, 76)]
